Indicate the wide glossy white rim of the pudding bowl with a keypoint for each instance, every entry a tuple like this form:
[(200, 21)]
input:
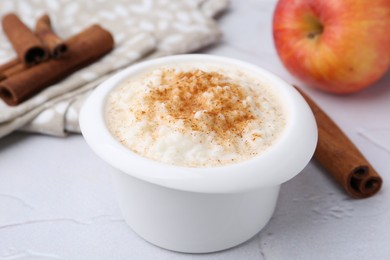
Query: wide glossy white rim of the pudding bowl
[(279, 163)]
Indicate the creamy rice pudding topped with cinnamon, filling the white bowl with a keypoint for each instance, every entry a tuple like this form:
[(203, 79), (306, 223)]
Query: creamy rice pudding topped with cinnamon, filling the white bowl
[(195, 115)]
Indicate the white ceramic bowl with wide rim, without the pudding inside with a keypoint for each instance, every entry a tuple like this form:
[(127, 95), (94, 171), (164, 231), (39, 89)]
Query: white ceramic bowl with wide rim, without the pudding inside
[(201, 210)]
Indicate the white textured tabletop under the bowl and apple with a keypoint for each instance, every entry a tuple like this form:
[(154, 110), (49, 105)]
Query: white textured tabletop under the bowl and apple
[(56, 200)]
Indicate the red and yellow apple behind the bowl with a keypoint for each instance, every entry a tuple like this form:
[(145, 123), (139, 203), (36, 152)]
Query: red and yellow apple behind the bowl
[(339, 46)]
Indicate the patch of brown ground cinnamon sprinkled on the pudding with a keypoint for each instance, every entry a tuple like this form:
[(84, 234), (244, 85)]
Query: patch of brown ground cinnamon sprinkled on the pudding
[(204, 101)]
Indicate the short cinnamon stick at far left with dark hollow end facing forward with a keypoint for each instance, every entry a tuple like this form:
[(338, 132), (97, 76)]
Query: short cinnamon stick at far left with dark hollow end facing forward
[(29, 48)]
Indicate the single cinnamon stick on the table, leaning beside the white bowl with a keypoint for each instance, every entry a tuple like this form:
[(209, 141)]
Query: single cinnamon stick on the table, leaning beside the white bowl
[(341, 158)]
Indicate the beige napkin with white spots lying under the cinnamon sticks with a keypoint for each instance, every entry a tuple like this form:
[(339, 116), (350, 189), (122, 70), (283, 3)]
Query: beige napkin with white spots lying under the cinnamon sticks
[(142, 29)]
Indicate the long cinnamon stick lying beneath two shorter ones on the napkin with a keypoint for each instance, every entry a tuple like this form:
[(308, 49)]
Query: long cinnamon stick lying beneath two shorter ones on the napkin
[(84, 49)]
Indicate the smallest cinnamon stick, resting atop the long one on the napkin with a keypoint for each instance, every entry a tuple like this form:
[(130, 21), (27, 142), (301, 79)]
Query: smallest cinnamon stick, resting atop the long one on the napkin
[(43, 29)]
